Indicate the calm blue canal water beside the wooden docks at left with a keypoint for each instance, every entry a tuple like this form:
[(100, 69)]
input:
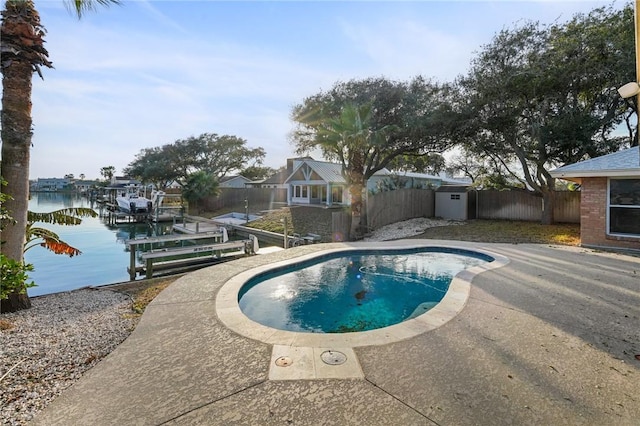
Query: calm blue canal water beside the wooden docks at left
[(104, 257)]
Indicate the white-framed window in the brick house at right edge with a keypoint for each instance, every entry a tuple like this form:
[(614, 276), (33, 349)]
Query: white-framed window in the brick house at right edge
[(624, 206)]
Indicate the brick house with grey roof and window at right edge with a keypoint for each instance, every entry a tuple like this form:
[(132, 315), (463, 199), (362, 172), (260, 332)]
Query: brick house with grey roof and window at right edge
[(610, 198)]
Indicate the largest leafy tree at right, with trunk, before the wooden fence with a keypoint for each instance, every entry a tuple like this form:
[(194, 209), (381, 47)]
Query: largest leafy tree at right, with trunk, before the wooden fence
[(538, 97)]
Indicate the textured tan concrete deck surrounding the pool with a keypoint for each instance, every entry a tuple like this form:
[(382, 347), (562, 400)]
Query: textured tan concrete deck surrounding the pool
[(549, 338)]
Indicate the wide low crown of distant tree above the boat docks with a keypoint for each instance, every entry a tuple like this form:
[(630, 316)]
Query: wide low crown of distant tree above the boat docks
[(210, 153)]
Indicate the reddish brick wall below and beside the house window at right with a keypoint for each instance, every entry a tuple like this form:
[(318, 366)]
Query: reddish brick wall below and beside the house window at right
[(593, 217)]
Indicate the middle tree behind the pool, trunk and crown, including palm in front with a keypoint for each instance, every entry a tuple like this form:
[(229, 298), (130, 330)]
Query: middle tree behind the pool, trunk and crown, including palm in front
[(366, 124)]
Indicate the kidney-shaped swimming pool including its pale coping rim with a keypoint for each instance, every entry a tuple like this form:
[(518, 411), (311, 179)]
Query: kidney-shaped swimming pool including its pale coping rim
[(350, 295)]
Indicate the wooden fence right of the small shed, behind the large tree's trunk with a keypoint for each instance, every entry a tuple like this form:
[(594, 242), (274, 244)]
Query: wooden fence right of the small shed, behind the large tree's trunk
[(521, 205)]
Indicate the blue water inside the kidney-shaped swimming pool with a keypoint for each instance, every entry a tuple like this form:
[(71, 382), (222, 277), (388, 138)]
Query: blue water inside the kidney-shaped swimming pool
[(354, 291)]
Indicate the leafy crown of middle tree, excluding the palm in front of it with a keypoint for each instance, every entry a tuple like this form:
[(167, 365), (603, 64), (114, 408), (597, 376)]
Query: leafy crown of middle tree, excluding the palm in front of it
[(416, 111)]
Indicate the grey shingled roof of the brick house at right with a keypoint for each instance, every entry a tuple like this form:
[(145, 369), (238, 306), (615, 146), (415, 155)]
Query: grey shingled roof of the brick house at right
[(621, 163)]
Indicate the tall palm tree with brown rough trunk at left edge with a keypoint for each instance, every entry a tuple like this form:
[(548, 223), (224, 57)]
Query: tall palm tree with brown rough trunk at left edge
[(22, 53)]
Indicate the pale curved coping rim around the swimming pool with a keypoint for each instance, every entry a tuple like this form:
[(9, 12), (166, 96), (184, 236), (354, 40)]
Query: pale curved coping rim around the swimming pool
[(229, 313)]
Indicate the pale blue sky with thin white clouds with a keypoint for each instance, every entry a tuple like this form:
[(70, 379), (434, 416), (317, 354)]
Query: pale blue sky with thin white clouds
[(148, 73)]
